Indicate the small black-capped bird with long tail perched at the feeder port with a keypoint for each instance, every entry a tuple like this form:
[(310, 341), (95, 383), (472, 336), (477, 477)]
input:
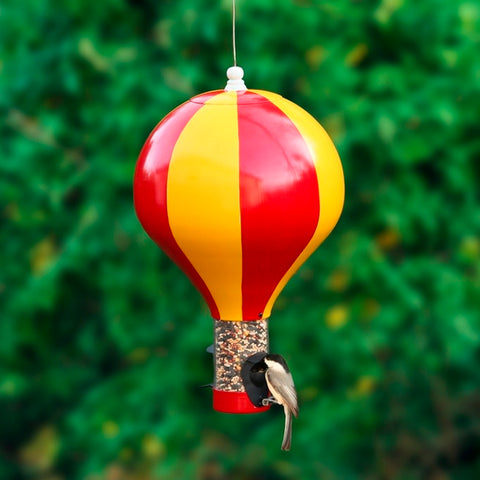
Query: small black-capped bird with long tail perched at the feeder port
[(281, 386)]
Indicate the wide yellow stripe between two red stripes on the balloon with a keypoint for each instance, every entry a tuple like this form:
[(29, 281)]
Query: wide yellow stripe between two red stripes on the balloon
[(203, 200)]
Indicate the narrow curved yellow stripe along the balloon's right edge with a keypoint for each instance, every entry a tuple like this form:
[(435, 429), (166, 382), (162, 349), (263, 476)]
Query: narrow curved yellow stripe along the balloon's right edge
[(329, 175)]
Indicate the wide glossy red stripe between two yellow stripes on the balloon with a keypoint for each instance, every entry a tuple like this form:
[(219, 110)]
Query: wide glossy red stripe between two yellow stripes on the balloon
[(279, 200)]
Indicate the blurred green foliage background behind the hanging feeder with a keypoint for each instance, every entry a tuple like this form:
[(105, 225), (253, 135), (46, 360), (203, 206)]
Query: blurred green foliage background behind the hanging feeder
[(102, 338)]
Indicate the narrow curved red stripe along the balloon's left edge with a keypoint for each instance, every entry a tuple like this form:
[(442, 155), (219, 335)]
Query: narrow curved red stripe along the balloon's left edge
[(150, 191)]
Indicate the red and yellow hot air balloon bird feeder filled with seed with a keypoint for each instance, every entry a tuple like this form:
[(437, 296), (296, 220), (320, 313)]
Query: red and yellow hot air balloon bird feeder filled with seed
[(238, 187)]
